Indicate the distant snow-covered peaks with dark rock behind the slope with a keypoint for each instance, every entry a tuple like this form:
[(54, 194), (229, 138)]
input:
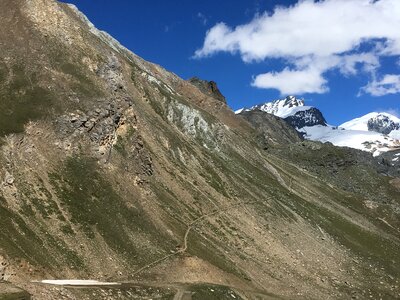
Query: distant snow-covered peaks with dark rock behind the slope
[(376, 132)]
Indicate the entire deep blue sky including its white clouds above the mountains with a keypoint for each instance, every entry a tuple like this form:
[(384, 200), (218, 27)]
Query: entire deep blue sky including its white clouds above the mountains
[(314, 63)]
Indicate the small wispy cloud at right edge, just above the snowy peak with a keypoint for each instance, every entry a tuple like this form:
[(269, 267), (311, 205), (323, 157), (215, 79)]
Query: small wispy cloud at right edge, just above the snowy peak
[(389, 84)]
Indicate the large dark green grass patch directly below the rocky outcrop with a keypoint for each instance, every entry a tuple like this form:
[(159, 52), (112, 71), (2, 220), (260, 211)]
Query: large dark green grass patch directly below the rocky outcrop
[(95, 206)]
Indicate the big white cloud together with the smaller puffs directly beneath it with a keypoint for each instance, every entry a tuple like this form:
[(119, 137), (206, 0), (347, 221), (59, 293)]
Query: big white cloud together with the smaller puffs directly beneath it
[(313, 36)]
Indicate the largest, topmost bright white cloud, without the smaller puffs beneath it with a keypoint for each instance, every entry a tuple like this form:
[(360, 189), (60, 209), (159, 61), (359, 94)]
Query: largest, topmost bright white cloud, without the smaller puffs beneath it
[(309, 28)]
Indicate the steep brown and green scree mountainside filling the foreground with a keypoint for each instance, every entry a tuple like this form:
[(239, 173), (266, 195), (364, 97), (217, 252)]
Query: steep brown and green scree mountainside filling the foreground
[(114, 169)]
